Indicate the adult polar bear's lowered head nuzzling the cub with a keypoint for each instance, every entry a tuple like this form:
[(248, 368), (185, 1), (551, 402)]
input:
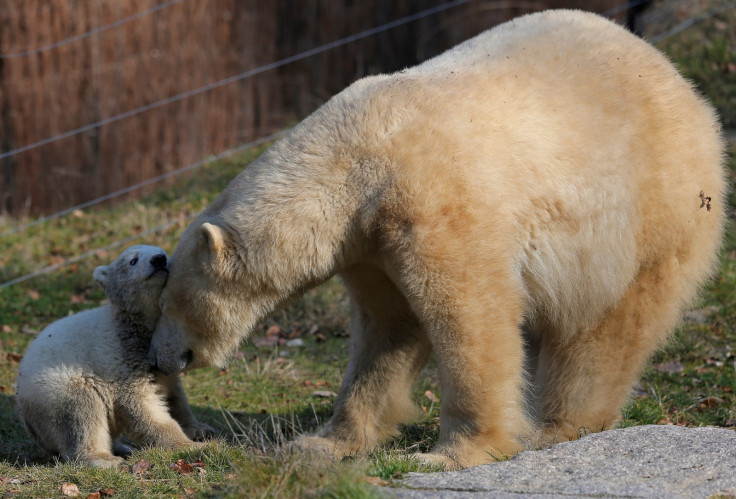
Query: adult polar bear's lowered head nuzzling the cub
[(208, 303)]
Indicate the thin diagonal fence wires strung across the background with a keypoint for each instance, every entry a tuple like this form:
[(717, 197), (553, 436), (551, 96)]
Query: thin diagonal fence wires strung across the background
[(687, 23)]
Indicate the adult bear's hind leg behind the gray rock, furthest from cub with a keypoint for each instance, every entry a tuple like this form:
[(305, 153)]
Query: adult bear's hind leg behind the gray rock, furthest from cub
[(586, 378)]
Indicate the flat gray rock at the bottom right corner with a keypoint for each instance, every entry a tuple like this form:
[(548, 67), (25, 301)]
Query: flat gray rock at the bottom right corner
[(643, 461)]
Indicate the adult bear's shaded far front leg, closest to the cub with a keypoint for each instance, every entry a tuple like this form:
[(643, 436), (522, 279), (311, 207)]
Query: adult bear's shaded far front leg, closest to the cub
[(389, 348)]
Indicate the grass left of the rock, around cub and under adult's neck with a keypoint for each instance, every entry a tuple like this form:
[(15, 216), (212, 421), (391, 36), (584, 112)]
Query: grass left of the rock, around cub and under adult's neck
[(258, 403)]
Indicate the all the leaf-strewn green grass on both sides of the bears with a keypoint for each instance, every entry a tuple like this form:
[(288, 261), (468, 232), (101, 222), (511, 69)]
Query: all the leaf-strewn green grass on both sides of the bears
[(265, 396)]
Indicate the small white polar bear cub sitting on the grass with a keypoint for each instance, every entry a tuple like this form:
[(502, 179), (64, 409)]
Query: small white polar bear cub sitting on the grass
[(84, 380)]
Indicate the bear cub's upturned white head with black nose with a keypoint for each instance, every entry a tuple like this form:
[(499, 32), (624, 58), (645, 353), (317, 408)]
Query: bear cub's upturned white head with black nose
[(134, 281)]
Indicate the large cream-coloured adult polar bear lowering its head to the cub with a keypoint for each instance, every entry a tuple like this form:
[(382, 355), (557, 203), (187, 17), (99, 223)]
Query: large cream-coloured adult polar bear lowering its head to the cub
[(548, 194)]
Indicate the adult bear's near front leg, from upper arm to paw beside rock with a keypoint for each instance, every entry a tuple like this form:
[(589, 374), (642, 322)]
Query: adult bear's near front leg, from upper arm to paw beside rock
[(463, 286)]
